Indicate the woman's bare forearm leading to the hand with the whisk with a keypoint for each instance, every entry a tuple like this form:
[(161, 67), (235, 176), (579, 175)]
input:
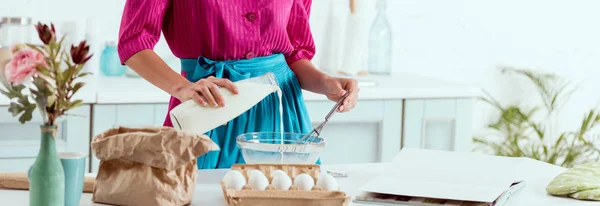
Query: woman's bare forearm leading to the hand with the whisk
[(309, 76)]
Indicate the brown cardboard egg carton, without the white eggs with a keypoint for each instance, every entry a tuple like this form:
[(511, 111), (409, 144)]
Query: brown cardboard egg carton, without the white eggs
[(292, 197)]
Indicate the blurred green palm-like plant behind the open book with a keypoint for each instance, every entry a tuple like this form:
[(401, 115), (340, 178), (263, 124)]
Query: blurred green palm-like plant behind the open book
[(522, 135)]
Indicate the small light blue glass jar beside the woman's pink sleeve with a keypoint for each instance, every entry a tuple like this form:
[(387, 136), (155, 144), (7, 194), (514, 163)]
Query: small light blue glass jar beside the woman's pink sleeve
[(110, 64)]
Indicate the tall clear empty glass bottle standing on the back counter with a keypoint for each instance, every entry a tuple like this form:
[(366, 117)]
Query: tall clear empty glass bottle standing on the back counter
[(380, 43)]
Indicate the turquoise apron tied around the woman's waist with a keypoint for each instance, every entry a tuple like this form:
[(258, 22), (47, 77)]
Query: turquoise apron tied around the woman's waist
[(263, 117)]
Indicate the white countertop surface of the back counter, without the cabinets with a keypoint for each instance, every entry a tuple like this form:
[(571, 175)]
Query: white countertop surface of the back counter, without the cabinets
[(123, 90)]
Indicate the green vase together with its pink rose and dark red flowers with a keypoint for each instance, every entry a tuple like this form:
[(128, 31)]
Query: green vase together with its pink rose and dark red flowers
[(44, 77)]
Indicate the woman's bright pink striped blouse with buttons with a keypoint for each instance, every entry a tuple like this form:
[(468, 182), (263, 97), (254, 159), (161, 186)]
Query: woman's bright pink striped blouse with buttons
[(218, 29)]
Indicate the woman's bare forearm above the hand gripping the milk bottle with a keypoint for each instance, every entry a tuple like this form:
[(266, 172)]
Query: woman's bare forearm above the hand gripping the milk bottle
[(152, 68)]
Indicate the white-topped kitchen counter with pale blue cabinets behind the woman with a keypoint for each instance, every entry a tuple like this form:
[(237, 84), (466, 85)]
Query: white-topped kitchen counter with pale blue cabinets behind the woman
[(392, 111)]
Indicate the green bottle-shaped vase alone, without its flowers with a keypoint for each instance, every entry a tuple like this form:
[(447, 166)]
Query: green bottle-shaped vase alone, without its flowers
[(46, 177)]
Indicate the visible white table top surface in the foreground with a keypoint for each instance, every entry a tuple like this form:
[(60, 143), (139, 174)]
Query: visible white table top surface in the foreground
[(208, 190)]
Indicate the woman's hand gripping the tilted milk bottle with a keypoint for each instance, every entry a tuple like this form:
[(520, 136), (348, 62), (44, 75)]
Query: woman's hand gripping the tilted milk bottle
[(206, 91)]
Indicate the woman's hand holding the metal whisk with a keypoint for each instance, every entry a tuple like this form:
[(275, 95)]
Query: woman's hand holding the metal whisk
[(337, 87)]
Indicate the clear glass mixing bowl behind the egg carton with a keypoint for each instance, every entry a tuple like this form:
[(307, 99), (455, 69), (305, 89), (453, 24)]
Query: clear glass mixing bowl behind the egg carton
[(267, 148)]
